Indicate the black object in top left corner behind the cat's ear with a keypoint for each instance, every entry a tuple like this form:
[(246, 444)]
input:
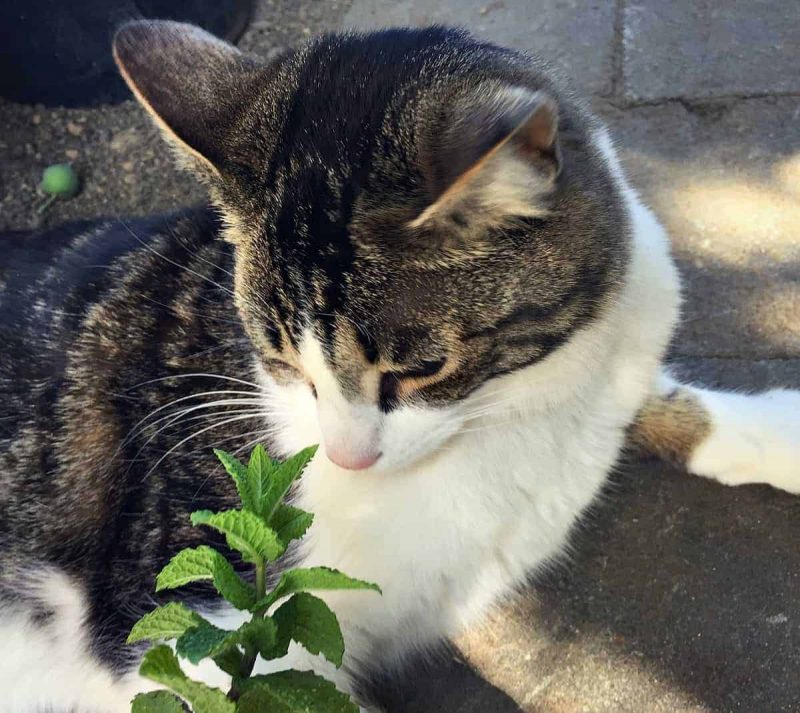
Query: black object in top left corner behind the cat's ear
[(58, 53)]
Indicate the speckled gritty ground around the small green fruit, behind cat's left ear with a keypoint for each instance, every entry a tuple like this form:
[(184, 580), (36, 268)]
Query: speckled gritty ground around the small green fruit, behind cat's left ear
[(122, 162)]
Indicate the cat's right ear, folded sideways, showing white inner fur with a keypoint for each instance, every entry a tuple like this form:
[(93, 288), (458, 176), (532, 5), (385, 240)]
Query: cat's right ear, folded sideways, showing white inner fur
[(491, 156)]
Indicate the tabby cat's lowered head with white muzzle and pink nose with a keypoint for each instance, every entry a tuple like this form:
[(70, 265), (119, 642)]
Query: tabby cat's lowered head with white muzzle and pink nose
[(417, 216)]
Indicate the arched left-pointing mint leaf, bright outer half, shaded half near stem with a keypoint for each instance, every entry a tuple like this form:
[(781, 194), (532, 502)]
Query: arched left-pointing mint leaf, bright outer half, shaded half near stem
[(204, 563)]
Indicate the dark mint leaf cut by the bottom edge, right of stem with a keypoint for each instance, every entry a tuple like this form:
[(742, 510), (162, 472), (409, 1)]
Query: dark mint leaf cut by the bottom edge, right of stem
[(297, 691)]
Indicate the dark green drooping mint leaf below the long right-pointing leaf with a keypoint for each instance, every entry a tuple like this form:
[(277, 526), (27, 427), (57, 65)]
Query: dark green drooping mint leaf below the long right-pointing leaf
[(309, 621)]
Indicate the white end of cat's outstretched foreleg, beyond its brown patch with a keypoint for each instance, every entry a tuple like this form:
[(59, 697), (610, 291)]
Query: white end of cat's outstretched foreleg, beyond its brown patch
[(753, 439)]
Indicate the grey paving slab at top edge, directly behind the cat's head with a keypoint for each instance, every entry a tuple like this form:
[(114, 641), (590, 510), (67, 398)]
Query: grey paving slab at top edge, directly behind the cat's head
[(577, 36)]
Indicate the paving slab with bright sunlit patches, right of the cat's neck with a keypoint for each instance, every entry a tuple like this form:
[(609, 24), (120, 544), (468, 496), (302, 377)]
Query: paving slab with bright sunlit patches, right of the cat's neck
[(724, 177)]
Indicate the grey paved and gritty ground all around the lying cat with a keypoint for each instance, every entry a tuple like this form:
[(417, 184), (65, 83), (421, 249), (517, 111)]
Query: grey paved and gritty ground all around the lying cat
[(681, 595)]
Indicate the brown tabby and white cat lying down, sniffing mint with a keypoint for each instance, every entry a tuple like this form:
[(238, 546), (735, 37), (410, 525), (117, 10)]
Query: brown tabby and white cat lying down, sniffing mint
[(423, 255)]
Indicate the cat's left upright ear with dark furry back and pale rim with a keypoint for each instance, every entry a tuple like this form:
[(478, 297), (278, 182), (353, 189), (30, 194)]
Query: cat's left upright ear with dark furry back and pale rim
[(193, 85)]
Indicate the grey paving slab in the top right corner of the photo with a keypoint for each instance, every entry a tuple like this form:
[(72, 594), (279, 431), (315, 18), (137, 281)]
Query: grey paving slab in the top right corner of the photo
[(708, 48)]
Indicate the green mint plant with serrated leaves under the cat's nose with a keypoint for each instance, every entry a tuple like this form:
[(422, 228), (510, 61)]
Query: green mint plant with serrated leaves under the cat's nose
[(261, 531)]
